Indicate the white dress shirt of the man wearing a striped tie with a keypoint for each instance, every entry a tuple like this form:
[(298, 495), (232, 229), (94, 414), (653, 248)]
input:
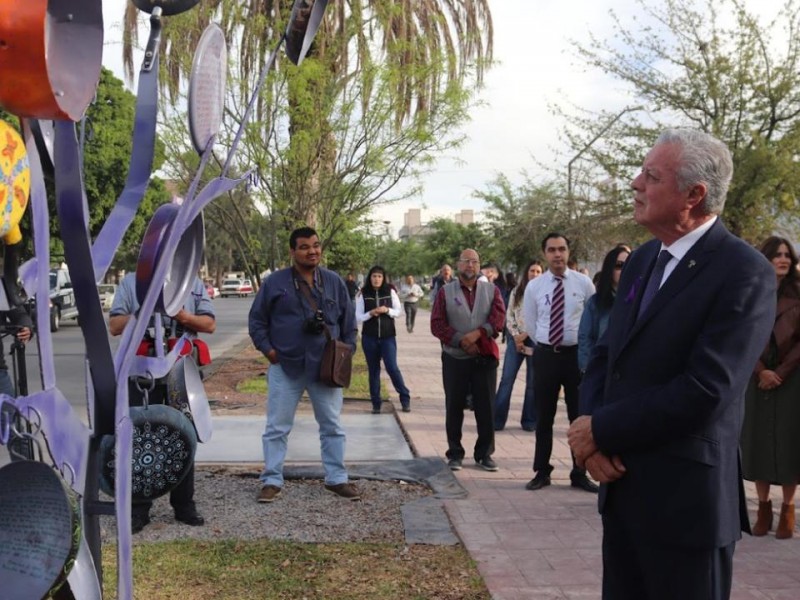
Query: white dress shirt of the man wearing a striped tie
[(578, 288)]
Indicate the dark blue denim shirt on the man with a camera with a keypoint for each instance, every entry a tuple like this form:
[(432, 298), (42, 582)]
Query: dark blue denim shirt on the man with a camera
[(279, 310)]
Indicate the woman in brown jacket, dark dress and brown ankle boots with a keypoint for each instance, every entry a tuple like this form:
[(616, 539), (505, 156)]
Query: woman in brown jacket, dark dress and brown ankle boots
[(771, 431)]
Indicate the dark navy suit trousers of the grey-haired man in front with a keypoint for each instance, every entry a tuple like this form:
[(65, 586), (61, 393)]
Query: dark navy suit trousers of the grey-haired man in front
[(635, 568)]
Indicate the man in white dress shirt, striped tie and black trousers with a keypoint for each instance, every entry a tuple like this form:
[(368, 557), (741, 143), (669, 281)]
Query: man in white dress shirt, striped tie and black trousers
[(552, 309)]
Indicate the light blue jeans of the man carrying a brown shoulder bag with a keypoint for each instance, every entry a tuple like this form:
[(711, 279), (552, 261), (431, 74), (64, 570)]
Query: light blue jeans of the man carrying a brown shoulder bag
[(284, 394)]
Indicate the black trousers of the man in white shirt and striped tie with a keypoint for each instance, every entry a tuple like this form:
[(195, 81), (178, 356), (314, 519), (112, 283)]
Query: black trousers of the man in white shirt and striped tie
[(553, 370)]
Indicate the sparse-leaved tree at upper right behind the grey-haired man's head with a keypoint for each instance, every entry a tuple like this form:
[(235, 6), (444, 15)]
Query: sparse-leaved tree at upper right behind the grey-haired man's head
[(711, 65)]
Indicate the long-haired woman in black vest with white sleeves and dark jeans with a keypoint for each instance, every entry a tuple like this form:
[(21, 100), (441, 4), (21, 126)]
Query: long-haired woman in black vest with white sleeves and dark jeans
[(377, 306)]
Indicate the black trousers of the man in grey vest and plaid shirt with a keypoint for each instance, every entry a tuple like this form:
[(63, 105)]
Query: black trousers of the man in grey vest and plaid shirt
[(477, 375)]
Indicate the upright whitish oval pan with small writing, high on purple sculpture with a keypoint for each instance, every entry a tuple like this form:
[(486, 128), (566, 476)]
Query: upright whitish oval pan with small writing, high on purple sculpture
[(207, 87)]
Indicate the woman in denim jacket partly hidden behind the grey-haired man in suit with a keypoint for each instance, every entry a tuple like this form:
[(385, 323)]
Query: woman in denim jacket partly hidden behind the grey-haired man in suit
[(594, 319)]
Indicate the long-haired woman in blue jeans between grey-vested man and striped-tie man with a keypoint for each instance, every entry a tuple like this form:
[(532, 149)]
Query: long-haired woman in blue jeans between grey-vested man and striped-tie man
[(519, 347)]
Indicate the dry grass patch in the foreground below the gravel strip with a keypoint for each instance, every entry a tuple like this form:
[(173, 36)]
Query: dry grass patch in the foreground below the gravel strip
[(237, 570)]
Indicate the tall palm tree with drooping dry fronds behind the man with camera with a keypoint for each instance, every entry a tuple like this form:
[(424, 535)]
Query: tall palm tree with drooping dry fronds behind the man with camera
[(421, 54)]
